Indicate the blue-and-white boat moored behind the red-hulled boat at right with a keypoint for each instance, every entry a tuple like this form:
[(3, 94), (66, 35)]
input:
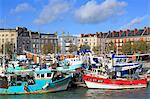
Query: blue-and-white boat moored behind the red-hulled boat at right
[(123, 65)]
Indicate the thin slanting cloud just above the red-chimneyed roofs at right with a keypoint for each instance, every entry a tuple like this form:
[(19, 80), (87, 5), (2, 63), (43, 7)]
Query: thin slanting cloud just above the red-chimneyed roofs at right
[(134, 21)]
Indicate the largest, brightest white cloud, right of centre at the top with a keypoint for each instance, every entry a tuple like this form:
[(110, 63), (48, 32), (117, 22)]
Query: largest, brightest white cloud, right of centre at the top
[(92, 12)]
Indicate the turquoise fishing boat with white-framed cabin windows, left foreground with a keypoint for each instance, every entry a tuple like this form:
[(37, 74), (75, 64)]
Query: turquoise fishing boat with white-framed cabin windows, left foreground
[(33, 81)]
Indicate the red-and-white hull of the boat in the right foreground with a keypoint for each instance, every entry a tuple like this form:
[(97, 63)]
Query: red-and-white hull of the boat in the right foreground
[(102, 83)]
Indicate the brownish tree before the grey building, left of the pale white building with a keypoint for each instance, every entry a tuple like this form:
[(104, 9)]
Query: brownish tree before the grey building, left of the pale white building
[(48, 48)]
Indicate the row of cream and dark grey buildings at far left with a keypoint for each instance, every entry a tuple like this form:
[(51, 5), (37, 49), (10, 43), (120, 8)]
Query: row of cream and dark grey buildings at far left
[(23, 39)]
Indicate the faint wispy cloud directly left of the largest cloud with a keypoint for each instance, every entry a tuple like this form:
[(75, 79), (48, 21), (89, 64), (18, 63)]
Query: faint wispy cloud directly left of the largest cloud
[(52, 11)]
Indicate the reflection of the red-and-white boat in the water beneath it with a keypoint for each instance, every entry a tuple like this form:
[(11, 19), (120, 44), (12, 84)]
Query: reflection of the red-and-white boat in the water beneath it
[(117, 94)]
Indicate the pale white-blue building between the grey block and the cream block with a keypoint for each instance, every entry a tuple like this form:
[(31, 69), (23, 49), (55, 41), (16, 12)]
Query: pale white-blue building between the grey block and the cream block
[(65, 41)]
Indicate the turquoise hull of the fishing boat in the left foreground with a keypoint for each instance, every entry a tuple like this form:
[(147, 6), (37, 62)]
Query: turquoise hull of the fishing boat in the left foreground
[(55, 86)]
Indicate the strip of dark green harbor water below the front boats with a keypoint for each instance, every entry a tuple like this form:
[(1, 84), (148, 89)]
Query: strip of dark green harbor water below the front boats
[(84, 93)]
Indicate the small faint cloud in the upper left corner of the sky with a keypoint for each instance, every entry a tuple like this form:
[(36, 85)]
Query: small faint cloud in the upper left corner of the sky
[(23, 7)]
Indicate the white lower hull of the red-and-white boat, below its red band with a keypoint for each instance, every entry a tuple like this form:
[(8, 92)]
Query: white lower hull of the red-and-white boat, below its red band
[(112, 86)]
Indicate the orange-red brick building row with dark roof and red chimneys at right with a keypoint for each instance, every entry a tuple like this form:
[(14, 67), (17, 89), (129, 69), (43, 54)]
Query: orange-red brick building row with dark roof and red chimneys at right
[(119, 38)]
